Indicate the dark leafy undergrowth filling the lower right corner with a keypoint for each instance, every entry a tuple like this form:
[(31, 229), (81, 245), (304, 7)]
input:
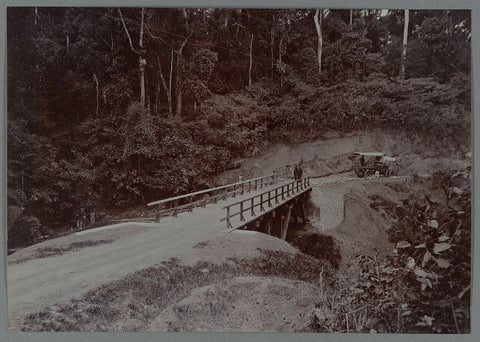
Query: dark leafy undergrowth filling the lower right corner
[(424, 287)]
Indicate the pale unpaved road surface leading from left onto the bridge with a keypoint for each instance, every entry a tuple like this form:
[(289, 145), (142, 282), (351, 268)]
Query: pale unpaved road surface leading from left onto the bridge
[(37, 283)]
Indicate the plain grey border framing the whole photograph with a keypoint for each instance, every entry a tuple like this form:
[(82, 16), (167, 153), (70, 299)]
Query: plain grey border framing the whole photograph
[(473, 5)]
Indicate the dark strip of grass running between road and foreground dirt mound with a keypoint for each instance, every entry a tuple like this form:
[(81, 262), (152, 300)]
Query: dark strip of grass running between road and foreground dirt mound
[(131, 303)]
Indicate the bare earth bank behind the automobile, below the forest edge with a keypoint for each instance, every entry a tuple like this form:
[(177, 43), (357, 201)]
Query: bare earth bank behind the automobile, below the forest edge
[(331, 155)]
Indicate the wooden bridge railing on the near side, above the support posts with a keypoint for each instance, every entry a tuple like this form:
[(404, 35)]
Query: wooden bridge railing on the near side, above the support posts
[(265, 199)]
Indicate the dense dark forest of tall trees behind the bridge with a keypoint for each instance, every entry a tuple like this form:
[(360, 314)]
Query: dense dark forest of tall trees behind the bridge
[(109, 108)]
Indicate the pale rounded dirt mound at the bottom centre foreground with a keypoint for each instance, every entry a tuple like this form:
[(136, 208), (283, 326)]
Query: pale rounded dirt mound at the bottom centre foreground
[(243, 304)]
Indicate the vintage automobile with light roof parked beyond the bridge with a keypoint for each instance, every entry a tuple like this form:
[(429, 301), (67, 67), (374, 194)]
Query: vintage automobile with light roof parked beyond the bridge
[(374, 164)]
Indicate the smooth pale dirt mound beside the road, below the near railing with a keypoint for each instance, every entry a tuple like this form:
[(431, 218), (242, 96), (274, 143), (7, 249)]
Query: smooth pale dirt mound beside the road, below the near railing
[(237, 244)]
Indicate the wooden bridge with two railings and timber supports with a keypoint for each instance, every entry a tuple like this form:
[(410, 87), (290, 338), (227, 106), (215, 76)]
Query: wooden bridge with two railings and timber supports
[(265, 203)]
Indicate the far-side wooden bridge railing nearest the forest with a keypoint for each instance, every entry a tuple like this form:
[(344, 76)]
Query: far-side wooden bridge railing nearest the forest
[(191, 200)]
